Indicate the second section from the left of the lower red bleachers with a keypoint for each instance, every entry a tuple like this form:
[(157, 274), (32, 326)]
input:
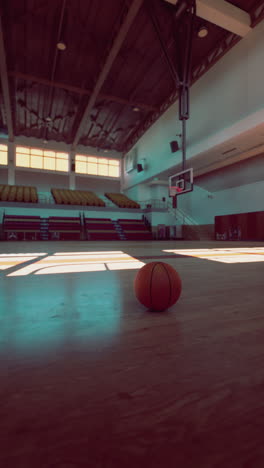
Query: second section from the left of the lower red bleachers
[(64, 228)]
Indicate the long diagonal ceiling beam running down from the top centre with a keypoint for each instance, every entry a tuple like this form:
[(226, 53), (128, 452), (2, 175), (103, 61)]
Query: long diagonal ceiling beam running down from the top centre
[(118, 42)]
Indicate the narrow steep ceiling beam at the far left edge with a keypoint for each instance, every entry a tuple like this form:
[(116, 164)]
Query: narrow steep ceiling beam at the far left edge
[(5, 85)]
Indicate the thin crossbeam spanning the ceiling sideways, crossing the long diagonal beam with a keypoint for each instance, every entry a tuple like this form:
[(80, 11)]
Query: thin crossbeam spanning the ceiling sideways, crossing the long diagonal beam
[(81, 91)]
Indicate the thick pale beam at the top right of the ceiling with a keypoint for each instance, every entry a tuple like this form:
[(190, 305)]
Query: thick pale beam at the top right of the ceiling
[(223, 14)]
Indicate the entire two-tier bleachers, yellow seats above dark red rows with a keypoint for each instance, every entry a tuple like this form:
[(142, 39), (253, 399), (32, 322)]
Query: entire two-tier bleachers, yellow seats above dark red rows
[(80, 227)]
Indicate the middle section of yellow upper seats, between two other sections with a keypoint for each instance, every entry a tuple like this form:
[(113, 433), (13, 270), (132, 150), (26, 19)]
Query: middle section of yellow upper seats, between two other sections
[(76, 197)]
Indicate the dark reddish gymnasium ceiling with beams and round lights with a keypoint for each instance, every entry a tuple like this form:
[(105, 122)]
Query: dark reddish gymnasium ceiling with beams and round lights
[(112, 81)]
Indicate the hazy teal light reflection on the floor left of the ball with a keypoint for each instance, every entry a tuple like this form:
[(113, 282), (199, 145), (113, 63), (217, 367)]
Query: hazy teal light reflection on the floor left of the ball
[(39, 313)]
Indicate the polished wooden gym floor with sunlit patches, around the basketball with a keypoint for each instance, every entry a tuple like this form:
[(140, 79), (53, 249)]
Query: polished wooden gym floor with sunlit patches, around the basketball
[(89, 378)]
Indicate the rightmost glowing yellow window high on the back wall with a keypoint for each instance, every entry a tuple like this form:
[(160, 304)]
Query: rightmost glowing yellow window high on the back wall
[(96, 166)]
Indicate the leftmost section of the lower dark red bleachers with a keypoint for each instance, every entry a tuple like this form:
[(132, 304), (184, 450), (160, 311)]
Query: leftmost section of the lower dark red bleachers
[(21, 227)]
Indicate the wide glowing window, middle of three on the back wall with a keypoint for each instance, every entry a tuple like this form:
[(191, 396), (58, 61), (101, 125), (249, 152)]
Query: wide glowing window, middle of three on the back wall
[(36, 158)]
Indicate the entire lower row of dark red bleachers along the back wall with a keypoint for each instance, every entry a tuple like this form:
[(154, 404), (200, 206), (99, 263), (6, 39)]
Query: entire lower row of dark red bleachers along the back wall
[(72, 228)]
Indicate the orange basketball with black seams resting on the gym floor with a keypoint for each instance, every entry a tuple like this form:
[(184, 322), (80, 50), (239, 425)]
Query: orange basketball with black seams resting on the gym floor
[(157, 286)]
